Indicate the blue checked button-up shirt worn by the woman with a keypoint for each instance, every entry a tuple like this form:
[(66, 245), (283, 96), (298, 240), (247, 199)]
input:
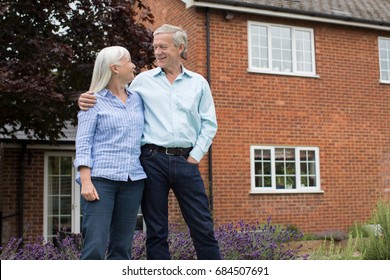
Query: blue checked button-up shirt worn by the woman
[(109, 137)]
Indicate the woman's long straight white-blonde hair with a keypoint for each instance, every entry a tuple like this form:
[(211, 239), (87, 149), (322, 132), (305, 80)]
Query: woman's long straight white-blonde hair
[(101, 70)]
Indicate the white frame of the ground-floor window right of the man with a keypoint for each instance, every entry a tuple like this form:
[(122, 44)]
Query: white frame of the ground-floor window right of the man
[(299, 187)]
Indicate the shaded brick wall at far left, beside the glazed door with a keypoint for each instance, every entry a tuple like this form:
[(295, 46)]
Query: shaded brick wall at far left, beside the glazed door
[(33, 192)]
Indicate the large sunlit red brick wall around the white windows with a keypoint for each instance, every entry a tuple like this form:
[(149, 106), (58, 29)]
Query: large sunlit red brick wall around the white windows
[(345, 112)]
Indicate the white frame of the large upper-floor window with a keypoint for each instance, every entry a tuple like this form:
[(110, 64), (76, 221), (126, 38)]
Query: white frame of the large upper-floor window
[(268, 69)]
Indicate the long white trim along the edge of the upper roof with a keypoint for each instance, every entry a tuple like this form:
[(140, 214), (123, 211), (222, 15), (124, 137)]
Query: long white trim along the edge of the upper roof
[(283, 15)]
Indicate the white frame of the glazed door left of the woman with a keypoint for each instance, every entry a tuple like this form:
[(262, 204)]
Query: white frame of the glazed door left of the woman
[(75, 207)]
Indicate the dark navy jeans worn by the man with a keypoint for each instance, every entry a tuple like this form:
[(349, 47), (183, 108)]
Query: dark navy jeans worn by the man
[(174, 172)]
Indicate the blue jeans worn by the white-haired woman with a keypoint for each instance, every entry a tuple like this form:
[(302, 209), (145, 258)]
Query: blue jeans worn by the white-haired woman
[(110, 220)]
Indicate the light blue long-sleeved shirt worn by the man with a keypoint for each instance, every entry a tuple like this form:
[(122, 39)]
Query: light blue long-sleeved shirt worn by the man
[(181, 114)]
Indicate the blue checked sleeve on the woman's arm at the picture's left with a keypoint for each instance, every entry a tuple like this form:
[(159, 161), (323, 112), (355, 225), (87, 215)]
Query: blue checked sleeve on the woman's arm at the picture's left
[(84, 140)]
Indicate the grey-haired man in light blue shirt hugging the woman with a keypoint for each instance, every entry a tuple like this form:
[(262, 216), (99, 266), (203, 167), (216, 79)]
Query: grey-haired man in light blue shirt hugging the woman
[(180, 124)]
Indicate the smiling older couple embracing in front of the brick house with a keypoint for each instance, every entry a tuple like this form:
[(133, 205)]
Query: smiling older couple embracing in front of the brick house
[(165, 121)]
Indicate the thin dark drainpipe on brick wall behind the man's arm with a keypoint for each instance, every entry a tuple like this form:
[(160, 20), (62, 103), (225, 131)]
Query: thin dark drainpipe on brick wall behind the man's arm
[(210, 158)]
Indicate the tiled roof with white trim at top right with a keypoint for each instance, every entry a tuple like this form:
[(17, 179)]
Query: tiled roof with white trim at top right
[(368, 13)]
